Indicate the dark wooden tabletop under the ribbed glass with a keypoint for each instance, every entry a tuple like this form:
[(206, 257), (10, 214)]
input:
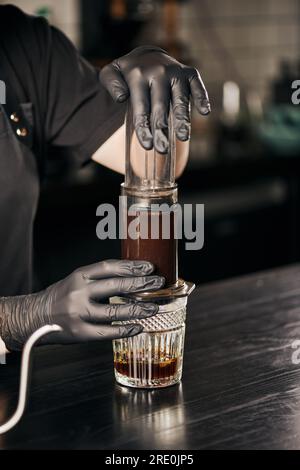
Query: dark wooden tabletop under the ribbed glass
[(240, 388)]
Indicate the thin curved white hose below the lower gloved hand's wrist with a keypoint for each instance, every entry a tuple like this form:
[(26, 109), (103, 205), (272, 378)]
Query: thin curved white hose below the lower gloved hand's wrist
[(24, 375)]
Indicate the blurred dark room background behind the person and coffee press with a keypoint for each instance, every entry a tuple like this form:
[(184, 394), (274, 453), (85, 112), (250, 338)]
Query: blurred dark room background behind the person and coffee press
[(244, 163)]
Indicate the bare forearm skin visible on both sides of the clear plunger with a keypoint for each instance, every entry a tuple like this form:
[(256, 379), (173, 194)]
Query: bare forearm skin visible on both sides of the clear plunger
[(112, 153)]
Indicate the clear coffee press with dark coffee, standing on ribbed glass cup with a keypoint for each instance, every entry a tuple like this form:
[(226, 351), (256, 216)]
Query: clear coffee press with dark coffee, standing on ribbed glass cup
[(149, 223)]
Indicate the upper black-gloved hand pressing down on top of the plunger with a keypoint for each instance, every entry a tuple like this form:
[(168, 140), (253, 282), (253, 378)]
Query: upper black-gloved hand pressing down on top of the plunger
[(152, 79)]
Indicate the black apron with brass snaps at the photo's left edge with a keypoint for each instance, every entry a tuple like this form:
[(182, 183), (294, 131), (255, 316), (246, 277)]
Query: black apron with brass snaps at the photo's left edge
[(19, 193)]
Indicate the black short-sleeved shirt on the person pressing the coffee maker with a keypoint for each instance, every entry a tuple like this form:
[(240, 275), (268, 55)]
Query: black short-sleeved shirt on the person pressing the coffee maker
[(71, 113)]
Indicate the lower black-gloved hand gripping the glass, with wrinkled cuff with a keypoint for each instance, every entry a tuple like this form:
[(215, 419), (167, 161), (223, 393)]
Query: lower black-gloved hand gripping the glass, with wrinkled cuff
[(75, 304)]
